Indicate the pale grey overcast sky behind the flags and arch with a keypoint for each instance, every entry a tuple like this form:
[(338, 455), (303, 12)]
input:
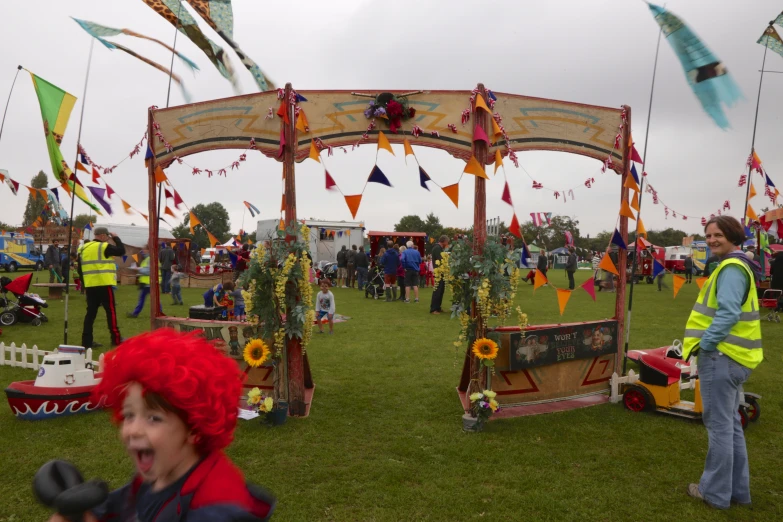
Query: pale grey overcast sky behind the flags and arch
[(598, 52)]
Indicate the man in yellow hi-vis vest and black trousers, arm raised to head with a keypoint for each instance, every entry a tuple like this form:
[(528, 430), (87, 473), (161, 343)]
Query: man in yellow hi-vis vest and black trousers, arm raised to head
[(99, 277)]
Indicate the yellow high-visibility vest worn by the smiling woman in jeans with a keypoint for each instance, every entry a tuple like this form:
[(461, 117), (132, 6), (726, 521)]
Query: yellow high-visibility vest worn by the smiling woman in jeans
[(743, 344)]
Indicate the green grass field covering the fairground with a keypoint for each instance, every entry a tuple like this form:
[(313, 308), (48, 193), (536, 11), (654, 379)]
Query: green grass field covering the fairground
[(384, 438)]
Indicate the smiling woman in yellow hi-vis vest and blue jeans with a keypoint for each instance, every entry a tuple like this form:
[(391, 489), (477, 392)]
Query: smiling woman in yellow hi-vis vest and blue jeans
[(725, 330)]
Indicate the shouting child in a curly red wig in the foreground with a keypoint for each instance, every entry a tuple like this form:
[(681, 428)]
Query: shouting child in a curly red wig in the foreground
[(175, 398)]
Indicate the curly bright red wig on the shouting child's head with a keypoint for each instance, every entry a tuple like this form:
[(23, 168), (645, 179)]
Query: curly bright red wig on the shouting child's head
[(188, 372)]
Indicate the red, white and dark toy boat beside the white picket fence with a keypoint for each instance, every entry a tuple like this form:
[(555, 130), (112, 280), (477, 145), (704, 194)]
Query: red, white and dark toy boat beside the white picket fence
[(63, 387)]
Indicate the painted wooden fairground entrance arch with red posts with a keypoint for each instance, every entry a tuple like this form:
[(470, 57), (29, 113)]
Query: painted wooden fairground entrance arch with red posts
[(337, 119)]
